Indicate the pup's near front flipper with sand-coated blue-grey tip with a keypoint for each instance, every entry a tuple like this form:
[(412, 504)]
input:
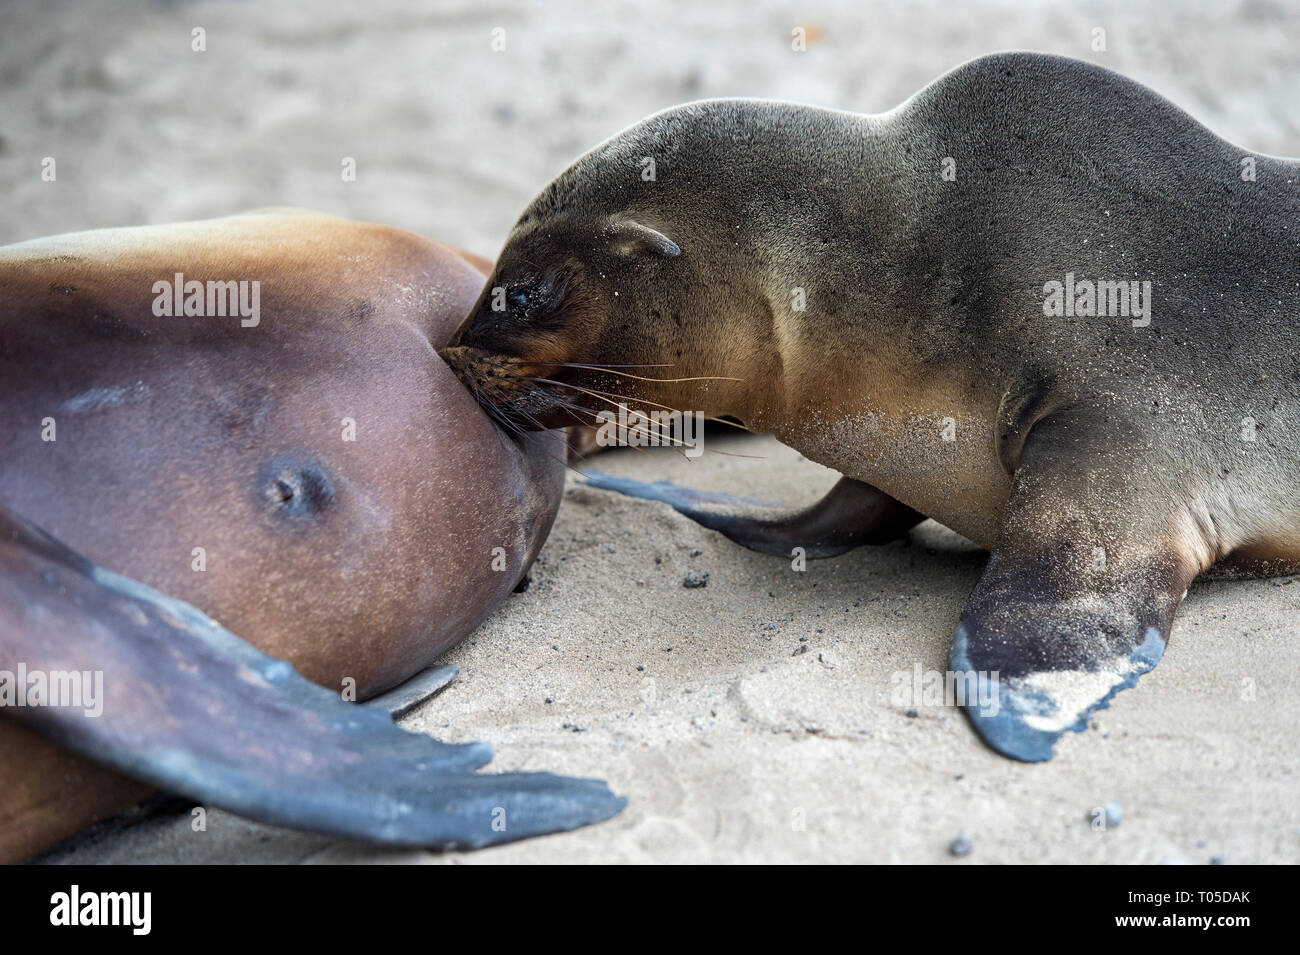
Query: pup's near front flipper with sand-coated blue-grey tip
[(1095, 554)]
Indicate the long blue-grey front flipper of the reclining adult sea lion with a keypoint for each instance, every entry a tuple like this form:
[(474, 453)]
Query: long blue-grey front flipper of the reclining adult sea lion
[(194, 710)]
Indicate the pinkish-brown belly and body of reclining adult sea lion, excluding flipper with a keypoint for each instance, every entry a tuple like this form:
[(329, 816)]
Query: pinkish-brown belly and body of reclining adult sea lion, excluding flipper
[(176, 433)]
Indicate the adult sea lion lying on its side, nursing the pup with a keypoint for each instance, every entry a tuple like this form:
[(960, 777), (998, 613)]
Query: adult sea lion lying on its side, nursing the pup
[(287, 453)]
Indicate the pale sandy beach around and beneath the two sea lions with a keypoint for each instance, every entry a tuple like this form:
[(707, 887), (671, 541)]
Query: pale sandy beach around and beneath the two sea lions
[(752, 719)]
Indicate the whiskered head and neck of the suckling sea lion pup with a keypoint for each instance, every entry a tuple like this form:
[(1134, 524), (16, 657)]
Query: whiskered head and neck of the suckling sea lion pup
[(614, 285)]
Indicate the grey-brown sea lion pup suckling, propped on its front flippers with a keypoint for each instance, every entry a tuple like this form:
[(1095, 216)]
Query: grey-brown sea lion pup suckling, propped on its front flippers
[(1037, 303)]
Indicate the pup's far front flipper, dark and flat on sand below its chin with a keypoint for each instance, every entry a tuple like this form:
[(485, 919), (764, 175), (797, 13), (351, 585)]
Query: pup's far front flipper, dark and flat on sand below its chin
[(852, 514)]
